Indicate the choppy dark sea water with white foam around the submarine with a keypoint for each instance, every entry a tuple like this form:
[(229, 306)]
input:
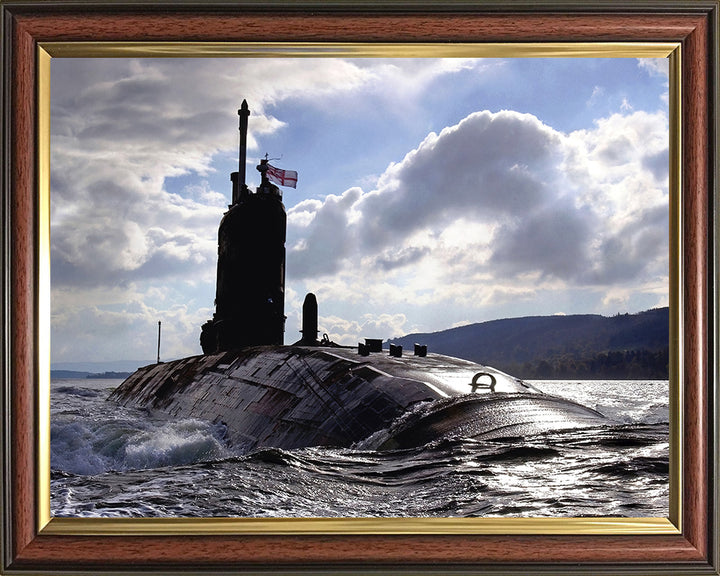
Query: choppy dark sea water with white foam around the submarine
[(112, 461)]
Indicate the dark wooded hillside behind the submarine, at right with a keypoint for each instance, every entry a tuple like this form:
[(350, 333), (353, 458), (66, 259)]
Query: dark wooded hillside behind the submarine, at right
[(577, 346)]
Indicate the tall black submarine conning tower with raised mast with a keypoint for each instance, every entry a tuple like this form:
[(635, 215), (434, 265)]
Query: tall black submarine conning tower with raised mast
[(250, 290)]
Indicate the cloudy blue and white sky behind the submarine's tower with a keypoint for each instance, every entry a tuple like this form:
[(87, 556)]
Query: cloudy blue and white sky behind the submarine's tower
[(432, 193)]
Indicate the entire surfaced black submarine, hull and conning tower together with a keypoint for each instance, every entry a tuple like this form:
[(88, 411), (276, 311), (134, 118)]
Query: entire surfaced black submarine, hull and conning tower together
[(315, 392)]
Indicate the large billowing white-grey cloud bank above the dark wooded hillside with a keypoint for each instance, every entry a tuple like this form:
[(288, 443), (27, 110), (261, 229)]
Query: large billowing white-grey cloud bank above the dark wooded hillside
[(497, 199)]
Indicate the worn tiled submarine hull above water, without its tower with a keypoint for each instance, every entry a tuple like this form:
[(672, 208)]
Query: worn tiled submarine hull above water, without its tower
[(296, 396)]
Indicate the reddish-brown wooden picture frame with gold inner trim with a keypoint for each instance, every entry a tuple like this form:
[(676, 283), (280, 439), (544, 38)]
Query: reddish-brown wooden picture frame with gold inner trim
[(31, 545)]
